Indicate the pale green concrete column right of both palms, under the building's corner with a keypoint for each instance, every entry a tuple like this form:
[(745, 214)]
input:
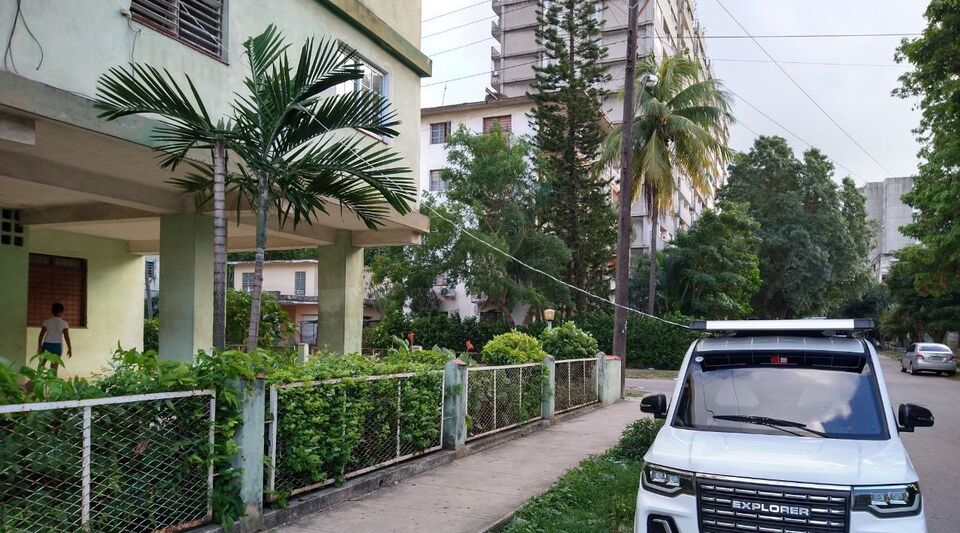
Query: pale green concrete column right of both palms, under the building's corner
[(340, 295)]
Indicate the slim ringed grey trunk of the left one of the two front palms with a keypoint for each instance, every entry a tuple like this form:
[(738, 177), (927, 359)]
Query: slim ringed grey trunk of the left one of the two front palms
[(219, 246)]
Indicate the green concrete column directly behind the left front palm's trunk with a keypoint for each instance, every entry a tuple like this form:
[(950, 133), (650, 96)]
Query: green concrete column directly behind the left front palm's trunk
[(186, 285)]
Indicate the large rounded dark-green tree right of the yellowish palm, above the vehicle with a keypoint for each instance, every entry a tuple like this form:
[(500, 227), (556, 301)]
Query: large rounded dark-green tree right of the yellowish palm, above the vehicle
[(814, 235)]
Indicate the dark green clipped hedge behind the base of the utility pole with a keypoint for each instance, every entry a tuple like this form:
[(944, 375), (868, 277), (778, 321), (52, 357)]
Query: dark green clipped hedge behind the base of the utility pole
[(650, 343)]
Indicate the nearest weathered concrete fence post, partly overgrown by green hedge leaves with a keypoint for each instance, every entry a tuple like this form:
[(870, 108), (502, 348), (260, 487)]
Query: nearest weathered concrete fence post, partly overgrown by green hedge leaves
[(250, 439)]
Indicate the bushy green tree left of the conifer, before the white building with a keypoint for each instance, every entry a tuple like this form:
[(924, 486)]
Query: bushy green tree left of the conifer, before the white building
[(490, 192)]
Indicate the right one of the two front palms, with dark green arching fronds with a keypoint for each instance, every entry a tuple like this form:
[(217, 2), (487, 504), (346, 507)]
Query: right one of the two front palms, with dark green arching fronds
[(302, 146)]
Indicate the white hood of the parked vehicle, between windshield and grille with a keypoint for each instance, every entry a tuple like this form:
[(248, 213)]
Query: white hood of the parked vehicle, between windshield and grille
[(783, 458)]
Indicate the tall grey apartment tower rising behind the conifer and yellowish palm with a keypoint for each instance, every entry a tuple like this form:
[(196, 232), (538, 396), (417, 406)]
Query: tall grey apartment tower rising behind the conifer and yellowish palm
[(665, 27)]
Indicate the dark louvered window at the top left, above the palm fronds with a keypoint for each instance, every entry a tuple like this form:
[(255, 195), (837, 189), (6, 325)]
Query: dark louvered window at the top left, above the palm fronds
[(196, 23)]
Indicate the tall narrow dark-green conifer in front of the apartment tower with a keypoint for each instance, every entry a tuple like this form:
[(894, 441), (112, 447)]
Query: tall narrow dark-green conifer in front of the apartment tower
[(574, 199)]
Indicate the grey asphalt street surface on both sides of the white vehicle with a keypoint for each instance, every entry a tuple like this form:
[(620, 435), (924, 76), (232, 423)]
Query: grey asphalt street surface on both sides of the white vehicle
[(935, 451)]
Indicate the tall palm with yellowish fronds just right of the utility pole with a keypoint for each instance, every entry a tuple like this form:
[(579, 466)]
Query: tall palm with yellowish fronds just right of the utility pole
[(680, 128)]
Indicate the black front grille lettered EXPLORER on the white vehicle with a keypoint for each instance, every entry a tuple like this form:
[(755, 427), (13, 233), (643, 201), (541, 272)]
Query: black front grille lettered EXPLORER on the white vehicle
[(726, 506)]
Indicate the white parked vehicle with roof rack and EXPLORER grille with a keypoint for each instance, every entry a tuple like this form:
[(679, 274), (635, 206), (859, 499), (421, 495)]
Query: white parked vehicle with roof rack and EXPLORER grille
[(780, 426)]
